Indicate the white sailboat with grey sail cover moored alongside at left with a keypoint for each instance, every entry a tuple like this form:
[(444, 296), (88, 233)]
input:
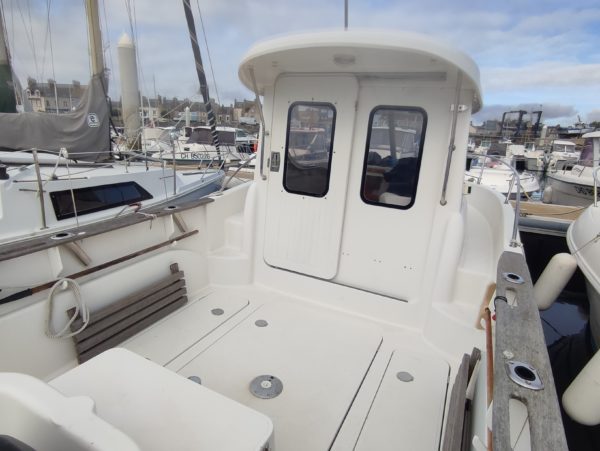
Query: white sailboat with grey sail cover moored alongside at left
[(59, 174)]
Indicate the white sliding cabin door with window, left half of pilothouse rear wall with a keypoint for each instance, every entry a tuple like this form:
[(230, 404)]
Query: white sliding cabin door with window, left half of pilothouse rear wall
[(312, 130)]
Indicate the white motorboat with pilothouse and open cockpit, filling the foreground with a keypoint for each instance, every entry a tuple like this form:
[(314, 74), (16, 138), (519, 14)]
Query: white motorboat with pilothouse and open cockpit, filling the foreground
[(333, 305)]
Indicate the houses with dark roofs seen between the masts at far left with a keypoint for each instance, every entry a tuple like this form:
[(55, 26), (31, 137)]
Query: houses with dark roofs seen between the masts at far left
[(54, 97)]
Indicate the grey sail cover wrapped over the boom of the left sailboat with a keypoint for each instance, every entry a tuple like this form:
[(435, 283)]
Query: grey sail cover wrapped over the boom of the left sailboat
[(84, 132)]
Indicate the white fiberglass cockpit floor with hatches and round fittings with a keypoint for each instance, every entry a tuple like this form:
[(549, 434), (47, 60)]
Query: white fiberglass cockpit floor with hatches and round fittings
[(339, 373)]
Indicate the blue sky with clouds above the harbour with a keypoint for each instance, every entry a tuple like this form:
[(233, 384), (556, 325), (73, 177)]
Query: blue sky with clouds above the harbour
[(532, 54)]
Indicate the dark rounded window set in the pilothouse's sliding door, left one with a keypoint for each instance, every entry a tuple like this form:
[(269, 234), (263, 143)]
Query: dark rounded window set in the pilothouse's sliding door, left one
[(308, 149)]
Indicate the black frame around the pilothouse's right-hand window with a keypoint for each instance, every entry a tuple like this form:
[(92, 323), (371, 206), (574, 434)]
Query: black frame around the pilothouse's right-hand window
[(419, 159)]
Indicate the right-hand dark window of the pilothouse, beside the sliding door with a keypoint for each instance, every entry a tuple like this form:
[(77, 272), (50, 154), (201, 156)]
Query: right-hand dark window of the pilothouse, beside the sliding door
[(393, 156)]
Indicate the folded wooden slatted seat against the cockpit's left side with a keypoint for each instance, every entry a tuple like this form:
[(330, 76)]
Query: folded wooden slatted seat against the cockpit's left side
[(123, 319)]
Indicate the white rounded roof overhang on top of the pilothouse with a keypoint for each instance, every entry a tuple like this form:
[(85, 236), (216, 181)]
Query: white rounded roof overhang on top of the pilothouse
[(364, 52)]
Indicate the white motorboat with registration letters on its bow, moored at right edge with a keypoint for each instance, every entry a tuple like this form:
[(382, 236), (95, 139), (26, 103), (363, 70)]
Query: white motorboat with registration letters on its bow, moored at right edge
[(575, 185)]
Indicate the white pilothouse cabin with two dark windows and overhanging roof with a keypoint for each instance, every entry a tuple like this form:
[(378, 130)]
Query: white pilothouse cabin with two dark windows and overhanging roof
[(355, 147)]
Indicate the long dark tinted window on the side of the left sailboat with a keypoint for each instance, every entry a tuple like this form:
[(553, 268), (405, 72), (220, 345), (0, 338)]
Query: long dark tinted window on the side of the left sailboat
[(96, 198)]
